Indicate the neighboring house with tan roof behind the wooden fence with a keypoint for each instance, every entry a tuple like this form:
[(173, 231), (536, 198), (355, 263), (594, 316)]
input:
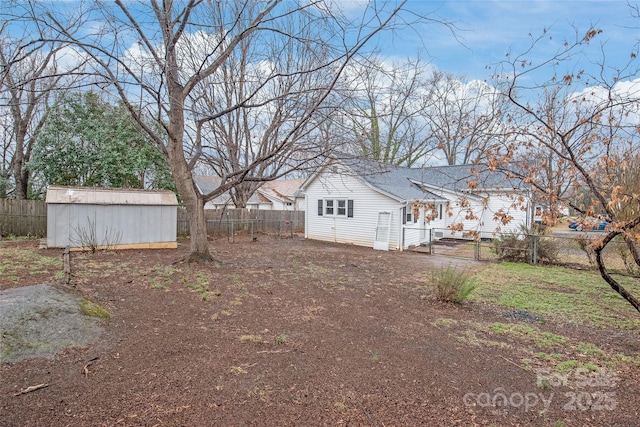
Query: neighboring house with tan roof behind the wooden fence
[(272, 195)]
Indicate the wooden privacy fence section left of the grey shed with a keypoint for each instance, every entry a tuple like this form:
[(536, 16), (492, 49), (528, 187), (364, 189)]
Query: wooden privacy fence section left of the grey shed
[(23, 217)]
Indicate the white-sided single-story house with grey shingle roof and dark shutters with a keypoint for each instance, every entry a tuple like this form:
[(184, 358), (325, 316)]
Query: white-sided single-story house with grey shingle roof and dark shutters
[(368, 203)]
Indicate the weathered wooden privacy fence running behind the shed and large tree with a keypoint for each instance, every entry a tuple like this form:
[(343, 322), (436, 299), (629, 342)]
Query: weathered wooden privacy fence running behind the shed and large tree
[(29, 218)]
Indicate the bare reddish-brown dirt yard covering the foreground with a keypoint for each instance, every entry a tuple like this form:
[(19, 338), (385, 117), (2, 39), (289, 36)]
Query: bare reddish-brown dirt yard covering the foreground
[(294, 332)]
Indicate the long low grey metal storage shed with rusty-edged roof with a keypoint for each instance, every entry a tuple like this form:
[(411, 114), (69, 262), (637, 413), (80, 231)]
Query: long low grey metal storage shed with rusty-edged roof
[(110, 218)]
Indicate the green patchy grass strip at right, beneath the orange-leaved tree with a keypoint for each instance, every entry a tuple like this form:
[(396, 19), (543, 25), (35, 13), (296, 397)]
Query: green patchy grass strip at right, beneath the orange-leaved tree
[(558, 293)]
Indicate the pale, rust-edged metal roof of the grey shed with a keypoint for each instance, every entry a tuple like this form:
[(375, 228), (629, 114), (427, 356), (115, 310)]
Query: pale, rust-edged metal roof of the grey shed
[(109, 196)]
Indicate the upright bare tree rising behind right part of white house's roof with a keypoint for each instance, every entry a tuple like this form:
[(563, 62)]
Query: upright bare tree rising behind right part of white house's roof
[(464, 118)]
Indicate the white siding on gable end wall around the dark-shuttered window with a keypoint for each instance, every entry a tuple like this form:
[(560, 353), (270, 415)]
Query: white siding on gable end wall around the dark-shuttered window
[(357, 230)]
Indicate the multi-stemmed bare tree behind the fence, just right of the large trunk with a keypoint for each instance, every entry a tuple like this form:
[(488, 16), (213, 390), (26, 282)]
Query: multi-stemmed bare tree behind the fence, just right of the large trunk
[(232, 141)]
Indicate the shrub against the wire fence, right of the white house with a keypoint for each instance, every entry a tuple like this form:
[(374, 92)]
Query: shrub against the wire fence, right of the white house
[(516, 246)]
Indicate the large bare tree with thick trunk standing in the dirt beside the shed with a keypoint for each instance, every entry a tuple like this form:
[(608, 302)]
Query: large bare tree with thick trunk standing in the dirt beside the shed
[(158, 56)]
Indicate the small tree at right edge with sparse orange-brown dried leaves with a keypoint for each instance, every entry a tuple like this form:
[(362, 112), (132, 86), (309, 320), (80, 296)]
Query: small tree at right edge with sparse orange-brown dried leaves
[(588, 138)]
